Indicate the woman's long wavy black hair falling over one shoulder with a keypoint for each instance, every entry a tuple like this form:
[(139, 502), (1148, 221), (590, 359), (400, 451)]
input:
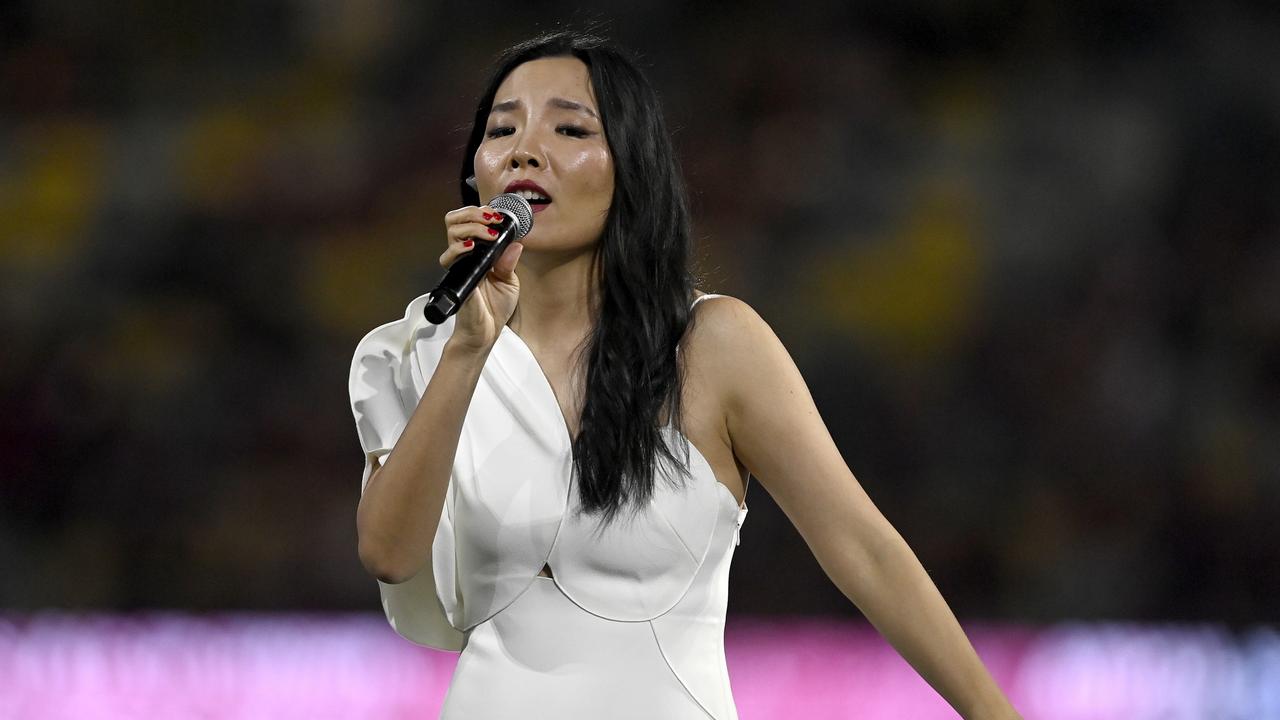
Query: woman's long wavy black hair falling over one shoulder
[(642, 281)]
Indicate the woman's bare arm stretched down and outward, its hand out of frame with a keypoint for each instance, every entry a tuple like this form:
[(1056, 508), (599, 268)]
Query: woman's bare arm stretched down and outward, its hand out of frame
[(778, 434)]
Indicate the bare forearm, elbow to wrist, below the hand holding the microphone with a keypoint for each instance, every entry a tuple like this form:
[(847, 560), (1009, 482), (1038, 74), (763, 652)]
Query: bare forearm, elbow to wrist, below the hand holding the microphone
[(401, 507)]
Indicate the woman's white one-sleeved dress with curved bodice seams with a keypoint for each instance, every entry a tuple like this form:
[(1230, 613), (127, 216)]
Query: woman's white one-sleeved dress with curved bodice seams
[(633, 622)]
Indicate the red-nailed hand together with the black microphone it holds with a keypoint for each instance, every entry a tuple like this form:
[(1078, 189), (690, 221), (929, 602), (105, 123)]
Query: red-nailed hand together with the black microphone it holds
[(484, 268)]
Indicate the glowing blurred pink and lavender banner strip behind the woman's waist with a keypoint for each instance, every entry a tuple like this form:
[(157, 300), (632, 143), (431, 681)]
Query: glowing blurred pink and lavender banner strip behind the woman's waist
[(298, 667)]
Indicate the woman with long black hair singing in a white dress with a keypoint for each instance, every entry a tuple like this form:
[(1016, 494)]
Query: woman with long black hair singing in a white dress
[(556, 476)]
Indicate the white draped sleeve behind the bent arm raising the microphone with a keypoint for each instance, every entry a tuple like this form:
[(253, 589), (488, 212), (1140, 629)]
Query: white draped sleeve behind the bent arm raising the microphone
[(388, 376)]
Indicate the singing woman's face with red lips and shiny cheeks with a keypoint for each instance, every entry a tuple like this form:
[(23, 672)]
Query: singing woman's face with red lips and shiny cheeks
[(545, 138)]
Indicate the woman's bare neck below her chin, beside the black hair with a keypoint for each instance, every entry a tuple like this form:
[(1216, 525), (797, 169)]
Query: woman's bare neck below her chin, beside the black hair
[(555, 299)]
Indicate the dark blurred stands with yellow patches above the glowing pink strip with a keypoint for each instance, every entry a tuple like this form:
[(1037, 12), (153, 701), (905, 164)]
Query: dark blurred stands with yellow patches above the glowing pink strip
[(1026, 254)]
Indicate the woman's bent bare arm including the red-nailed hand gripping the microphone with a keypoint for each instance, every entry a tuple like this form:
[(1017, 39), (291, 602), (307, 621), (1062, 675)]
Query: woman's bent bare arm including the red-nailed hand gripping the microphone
[(403, 502)]
